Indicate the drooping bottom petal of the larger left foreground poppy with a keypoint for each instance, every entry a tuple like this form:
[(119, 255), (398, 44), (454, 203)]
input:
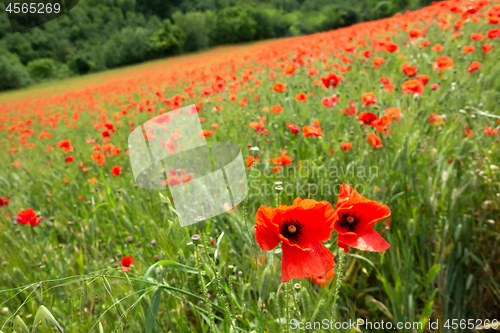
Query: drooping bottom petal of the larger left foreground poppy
[(298, 264)]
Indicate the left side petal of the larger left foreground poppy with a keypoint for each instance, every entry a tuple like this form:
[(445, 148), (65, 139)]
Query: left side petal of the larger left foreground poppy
[(266, 233)]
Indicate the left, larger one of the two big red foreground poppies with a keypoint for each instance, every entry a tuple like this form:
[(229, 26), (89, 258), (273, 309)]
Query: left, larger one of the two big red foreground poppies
[(301, 227)]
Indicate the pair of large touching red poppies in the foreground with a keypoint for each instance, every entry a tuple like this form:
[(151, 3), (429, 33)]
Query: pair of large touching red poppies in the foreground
[(302, 227)]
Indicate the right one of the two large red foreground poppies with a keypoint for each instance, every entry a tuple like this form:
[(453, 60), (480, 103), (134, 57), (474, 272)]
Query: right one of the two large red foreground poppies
[(354, 217)]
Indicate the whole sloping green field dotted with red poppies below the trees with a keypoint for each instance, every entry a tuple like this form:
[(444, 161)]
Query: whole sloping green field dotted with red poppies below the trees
[(373, 173)]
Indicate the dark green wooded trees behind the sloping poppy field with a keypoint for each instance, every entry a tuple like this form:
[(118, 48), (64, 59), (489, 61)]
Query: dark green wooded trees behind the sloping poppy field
[(101, 34)]
